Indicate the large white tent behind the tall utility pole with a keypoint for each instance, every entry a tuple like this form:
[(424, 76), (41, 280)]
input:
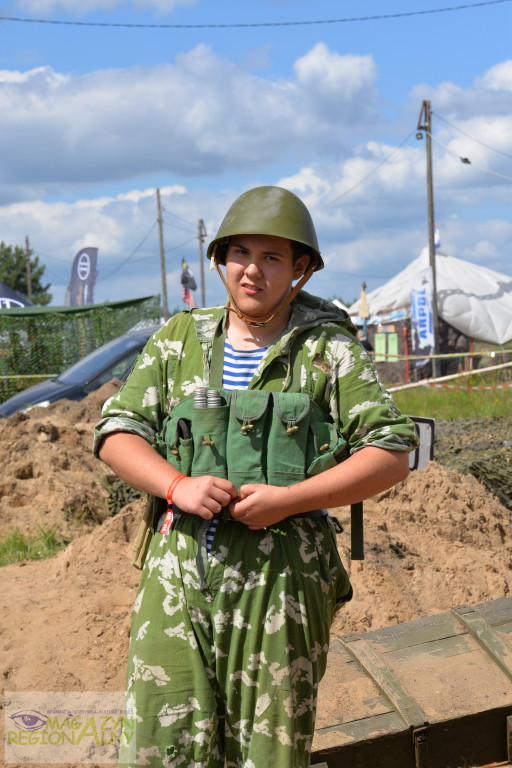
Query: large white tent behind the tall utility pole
[(475, 300)]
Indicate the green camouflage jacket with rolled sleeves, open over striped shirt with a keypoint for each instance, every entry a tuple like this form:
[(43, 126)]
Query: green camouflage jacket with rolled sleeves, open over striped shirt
[(335, 370)]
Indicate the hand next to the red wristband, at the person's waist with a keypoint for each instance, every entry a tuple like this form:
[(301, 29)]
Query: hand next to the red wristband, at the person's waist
[(204, 496)]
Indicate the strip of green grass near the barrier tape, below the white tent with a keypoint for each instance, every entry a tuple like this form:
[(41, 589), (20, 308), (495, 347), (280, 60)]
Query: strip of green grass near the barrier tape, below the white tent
[(454, 403)]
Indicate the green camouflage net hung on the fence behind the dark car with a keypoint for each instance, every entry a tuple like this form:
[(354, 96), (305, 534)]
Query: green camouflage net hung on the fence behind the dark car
[(40, 342)]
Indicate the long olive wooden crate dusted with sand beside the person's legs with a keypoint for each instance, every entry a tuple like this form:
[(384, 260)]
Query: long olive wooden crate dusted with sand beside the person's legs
[(431, 693)]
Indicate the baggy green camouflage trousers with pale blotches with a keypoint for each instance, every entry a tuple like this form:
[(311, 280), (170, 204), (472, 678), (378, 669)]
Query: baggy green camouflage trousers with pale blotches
[(227, 651)]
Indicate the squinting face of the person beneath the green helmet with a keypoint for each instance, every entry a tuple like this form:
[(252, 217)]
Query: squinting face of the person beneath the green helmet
[(260, 272)]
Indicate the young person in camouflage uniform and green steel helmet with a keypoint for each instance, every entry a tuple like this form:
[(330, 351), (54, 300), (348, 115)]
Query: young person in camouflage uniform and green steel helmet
[(242, 577)]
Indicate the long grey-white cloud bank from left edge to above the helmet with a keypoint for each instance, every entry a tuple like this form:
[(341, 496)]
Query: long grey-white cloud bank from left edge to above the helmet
[(201, 115)]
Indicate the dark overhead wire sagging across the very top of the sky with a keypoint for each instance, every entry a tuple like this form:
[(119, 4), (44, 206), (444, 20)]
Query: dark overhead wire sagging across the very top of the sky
[(233, 25)]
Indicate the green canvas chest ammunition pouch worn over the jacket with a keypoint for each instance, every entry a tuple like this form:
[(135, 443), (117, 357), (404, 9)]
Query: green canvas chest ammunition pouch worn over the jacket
[(254, 436)]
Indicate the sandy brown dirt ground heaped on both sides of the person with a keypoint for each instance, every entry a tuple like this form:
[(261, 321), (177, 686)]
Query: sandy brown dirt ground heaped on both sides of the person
[(435, 541)]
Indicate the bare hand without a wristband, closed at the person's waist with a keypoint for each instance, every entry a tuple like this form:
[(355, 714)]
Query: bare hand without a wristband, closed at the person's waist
[(259, 506)]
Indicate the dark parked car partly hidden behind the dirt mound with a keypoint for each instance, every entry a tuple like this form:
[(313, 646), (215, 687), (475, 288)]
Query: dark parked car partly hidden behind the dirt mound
[(112, 360)]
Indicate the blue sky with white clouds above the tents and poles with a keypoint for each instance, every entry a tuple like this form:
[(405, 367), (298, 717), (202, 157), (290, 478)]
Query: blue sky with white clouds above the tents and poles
[(94, 118)]
